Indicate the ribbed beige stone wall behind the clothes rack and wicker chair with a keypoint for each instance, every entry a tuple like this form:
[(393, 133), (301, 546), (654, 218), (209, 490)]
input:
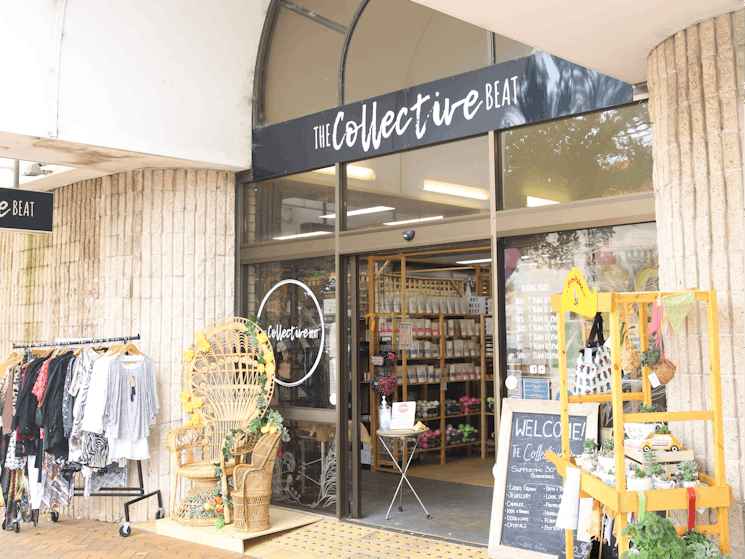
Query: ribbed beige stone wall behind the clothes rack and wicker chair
[(145, 252)]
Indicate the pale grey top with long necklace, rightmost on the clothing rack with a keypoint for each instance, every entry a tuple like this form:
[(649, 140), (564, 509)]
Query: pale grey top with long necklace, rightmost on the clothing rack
[(132, 402)]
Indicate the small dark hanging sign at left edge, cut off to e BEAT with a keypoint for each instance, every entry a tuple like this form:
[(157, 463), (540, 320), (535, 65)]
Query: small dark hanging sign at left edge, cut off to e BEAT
[(26, 211)]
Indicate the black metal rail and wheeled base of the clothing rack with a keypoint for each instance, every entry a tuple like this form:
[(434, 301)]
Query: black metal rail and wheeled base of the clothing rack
[(138, 491)]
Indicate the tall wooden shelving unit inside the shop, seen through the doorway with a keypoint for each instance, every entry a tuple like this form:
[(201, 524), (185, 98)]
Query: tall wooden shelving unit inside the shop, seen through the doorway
[(379, 284)]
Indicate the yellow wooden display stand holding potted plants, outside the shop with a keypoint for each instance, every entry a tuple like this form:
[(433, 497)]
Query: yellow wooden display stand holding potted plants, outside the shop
[(718, 495)]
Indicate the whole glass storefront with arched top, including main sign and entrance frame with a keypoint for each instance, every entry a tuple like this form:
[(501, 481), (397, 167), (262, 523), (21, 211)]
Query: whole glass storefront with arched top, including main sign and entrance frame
[(494, 156)]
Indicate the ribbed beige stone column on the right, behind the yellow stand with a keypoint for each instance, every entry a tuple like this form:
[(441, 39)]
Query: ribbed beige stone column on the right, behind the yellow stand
[(696, 81)]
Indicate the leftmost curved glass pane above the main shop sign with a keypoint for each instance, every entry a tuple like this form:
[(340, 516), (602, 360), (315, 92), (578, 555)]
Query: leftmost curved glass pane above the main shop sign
[(302, 60)]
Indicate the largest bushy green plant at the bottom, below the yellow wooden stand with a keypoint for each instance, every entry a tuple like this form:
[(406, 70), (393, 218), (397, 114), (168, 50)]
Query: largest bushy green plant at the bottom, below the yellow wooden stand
[(654, 538)]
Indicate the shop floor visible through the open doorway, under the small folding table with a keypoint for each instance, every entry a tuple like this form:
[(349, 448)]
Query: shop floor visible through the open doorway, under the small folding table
[(459, 511)]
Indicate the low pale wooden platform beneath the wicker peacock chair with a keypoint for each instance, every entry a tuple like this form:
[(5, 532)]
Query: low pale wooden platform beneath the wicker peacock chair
[(227, 538)]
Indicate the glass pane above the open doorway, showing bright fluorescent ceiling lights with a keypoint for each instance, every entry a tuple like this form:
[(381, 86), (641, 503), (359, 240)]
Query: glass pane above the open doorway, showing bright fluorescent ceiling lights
[(422, 185)]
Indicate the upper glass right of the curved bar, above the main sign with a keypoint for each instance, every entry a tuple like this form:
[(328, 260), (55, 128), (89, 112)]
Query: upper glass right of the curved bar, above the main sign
[(400, 44)]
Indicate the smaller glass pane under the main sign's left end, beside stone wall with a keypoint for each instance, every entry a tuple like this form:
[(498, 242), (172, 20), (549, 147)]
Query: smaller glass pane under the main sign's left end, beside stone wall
[(289, 208)]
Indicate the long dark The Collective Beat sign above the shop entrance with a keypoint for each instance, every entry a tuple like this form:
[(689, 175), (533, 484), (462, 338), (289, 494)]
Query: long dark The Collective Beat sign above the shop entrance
[(530, 89)]
